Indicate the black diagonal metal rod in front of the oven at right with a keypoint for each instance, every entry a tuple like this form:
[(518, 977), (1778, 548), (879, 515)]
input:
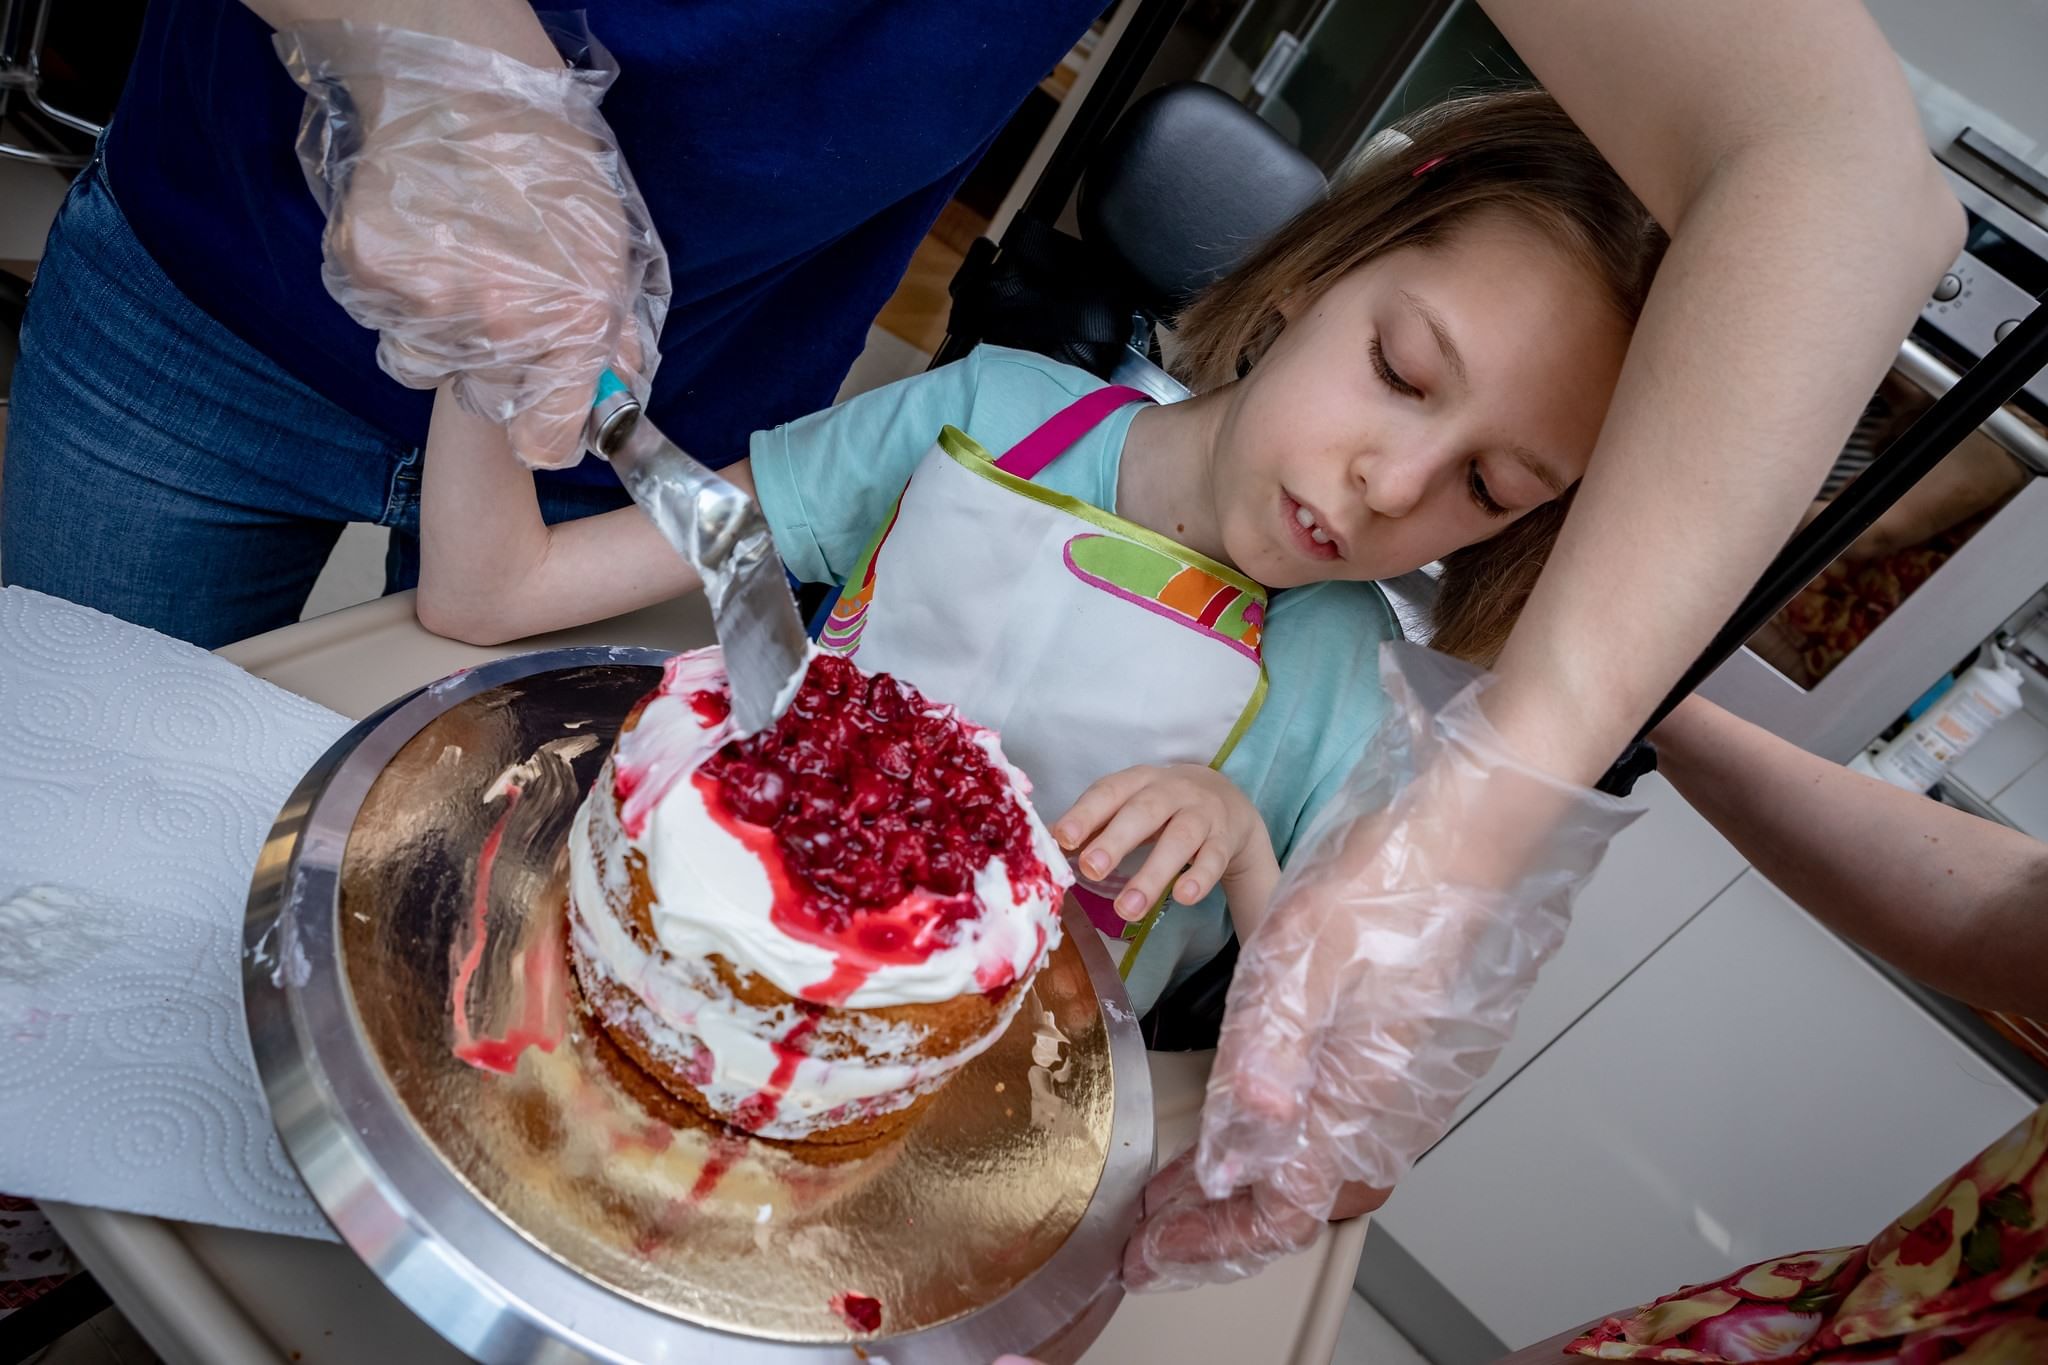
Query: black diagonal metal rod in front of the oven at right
[(1967, 406)]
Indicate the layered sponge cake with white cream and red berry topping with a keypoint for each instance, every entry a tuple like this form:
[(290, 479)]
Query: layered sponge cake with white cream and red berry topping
[(808, 932)]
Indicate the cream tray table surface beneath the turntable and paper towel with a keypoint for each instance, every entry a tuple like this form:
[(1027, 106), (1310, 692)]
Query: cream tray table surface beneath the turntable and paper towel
[(216, 1296)]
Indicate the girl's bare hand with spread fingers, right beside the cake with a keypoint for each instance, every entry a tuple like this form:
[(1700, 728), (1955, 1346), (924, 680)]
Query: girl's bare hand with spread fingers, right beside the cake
[(1195, 820)]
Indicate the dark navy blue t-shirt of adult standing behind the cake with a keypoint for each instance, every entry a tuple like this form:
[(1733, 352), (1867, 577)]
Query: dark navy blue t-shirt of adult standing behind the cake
[(792, 152)]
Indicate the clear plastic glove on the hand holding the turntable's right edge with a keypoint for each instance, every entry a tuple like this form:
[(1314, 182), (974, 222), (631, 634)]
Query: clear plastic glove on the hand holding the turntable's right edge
[(1404, 936)]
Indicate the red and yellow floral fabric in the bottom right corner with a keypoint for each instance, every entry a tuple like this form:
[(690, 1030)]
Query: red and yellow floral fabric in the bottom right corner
[(1959, 1280)]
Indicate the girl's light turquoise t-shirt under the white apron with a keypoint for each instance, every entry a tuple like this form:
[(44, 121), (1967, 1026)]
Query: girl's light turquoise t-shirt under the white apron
[(826, 484)]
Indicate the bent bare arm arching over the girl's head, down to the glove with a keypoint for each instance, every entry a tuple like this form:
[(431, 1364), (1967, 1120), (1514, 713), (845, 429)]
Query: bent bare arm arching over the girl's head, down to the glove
[(1807, 226)]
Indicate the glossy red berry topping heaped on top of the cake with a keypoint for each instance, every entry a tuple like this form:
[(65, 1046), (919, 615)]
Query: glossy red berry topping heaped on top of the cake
[(871, 818)]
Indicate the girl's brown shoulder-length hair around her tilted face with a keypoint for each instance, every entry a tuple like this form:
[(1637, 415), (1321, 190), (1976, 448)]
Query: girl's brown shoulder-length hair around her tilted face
[(1512, 152)]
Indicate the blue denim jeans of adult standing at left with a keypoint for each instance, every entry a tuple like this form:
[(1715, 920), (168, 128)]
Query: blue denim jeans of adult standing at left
[(169, 474)]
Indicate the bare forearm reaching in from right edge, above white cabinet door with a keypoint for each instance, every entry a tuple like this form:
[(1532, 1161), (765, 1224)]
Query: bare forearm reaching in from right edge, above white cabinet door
[(1957, 901)]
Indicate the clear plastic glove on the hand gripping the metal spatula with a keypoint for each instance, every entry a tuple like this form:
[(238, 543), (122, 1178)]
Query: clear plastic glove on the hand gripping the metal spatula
[(482, 222)]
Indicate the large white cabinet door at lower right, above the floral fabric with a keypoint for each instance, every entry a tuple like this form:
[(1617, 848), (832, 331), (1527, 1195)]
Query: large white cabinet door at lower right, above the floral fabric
[(1754, 1090)]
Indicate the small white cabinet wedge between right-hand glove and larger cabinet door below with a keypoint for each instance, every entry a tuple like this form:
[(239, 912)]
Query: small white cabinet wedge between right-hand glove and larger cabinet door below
[(1658, 875)]
